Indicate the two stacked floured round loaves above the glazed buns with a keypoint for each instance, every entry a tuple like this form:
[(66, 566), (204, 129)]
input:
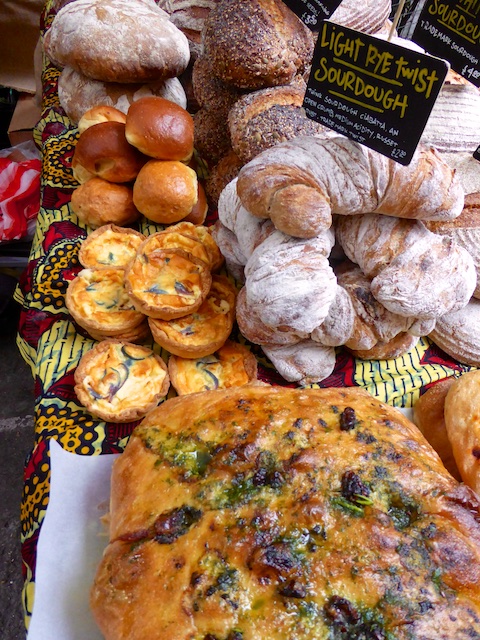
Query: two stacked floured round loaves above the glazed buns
[(113, 52)]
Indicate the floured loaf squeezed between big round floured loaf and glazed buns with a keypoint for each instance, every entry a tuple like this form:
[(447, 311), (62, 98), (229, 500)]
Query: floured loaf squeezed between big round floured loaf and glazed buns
[(79, 93)]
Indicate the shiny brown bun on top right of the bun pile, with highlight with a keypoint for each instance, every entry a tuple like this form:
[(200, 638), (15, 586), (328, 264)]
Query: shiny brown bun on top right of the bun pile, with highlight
[(160, 129)]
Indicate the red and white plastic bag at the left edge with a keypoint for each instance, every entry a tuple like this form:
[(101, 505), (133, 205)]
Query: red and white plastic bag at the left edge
[(19, 191)]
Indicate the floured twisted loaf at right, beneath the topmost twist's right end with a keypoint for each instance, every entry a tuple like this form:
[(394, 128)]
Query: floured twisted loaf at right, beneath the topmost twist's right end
[(414, 272)]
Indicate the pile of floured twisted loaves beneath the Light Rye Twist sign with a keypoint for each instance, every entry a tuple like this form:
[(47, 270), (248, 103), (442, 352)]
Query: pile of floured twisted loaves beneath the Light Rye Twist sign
[(278, 222)]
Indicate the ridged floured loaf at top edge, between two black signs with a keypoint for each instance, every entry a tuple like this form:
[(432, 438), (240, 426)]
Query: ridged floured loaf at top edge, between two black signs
[(368, 16)]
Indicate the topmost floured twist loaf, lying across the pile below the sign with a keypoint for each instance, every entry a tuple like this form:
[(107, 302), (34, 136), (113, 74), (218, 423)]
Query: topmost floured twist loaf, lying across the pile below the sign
[(300, 183)]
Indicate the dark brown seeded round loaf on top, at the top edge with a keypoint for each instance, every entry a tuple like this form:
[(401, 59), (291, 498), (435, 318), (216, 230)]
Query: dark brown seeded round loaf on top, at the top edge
[(256, 44)]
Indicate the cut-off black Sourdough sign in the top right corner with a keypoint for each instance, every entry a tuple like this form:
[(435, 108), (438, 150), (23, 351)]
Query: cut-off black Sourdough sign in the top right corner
[(451, 29)]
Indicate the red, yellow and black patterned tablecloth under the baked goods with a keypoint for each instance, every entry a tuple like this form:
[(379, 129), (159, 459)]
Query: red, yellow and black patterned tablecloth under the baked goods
[(52, 344)]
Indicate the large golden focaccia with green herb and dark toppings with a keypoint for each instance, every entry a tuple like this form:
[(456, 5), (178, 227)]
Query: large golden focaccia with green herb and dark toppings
[(263, 512)]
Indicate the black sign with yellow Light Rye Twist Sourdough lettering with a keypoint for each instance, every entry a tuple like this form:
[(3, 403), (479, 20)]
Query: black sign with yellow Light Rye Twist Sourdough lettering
[(372, 91)]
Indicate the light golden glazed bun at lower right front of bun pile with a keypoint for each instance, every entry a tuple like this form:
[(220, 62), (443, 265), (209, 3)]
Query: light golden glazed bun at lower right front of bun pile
[(165, 191)]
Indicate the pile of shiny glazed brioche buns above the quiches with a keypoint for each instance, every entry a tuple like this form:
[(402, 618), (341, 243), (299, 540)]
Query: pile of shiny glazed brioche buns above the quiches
[(136, 163)]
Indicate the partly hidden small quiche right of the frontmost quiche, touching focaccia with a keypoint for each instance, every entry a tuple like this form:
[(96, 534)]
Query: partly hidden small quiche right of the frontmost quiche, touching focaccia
[(233, 365)]
